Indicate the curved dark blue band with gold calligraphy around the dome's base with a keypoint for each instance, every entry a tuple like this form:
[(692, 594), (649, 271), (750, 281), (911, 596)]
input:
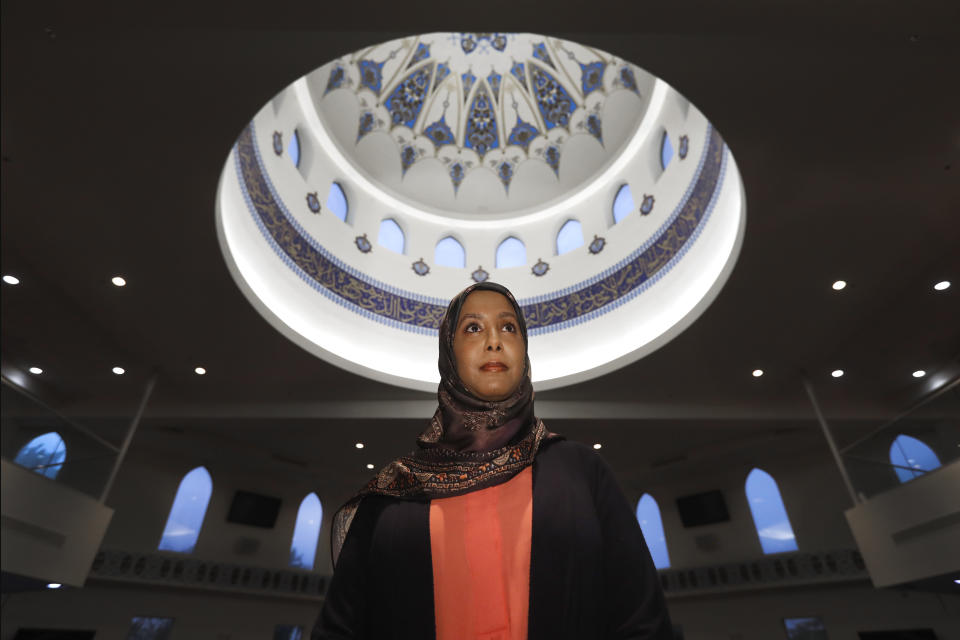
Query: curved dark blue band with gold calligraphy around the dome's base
[(409, 311)]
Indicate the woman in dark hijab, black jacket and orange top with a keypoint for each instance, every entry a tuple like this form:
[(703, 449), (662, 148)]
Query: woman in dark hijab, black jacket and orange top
[(494, 528)]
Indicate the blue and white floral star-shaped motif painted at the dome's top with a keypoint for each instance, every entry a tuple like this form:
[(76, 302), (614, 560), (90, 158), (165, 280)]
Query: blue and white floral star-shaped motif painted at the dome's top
[(481, 101)]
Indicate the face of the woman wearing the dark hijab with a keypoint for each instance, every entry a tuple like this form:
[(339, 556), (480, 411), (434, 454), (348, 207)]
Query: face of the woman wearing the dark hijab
[(488, 347)]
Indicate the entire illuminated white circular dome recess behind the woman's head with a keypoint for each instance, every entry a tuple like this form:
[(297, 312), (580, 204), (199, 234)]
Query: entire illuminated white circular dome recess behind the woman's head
[(370, 191)]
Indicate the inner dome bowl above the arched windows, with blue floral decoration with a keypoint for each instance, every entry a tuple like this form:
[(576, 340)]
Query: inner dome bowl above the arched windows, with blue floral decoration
[(480, 123)]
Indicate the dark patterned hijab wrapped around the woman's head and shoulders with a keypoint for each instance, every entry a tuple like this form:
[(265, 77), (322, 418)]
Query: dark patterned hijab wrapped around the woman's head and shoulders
[(469, 444)]
